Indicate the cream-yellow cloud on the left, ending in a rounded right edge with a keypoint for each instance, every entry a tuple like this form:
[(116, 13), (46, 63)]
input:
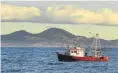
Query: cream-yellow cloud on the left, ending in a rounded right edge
[(9, 12)]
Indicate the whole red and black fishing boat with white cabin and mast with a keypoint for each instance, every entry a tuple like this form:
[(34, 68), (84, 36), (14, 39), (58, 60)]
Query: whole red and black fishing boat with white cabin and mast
[(77, 53)]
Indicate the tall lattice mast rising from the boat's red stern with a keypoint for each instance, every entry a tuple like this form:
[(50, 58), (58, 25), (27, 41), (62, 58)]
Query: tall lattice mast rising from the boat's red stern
[(96, 47)]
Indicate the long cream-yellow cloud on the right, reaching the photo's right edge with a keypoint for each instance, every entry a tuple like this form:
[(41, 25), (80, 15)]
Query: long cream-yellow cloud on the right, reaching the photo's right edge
[(78, 15)]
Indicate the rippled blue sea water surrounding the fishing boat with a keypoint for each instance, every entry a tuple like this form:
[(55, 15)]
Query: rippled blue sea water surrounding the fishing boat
[(44, 60)]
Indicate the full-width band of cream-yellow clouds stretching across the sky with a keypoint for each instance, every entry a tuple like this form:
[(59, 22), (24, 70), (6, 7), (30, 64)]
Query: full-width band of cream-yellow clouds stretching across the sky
[(61, 14)]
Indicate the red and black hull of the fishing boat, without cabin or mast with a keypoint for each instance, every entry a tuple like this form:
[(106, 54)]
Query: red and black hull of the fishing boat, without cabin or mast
[(62, 57)]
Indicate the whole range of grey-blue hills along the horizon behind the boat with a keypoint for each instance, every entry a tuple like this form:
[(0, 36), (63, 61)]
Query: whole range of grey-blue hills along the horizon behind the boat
[(49, 37)]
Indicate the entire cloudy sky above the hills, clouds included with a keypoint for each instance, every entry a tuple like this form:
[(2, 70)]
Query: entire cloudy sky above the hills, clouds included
[(76, 17)]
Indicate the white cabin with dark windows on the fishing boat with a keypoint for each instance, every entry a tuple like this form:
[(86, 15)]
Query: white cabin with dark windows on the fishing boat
[(76, 51)]
